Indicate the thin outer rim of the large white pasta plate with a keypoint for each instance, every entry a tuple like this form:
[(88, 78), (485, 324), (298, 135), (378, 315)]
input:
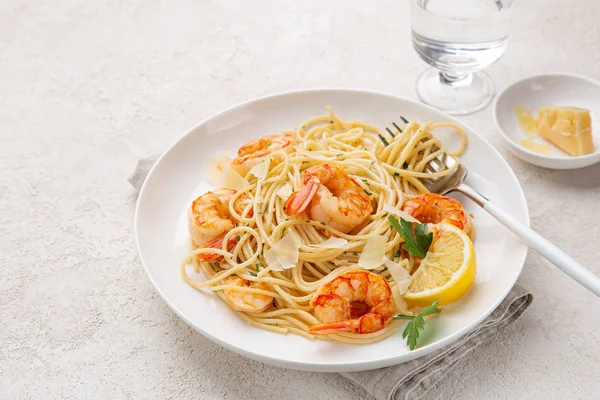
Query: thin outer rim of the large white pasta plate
[(329, 366)]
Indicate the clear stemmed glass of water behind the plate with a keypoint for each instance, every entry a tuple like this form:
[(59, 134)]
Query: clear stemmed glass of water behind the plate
[(458, 38)]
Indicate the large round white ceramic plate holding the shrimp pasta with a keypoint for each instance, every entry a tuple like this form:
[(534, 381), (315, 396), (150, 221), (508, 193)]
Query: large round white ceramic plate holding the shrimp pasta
[(179, 176)]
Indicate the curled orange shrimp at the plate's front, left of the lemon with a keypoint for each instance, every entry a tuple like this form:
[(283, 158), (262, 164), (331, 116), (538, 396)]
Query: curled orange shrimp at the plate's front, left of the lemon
[(357, 301)]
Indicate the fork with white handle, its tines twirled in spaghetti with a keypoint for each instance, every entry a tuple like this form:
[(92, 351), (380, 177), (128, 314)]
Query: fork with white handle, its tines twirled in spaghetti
[(455, 182)]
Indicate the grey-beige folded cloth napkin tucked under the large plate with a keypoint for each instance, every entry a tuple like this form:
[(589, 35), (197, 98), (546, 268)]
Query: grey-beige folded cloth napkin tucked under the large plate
[(412, 380)]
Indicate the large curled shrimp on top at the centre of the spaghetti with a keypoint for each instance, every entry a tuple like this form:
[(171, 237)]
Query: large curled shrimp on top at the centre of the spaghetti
[(331, 197)]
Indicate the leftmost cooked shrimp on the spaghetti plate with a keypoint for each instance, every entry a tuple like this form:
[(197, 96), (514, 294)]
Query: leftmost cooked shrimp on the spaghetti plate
[(209, 219)]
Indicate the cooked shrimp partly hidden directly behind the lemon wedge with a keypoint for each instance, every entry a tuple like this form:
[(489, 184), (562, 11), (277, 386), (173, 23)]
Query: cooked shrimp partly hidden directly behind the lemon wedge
[(431, 208)]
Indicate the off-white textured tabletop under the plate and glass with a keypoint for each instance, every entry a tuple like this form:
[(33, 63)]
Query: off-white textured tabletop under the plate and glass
[(87, 88)]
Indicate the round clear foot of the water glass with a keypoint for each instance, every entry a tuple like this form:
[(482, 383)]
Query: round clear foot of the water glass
[(455, 94)]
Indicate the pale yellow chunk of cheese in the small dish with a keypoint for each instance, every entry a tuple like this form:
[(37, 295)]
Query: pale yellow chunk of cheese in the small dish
[(569, 128)]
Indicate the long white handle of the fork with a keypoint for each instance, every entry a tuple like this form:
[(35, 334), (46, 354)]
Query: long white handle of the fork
[(552, 253)]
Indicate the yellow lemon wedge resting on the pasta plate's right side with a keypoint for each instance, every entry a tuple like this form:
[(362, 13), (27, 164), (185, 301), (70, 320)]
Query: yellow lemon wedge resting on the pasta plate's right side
[(447, 271)]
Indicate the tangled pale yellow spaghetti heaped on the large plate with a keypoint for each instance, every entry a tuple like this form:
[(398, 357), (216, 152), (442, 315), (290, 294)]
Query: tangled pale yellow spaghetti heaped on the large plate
[(386, 174)]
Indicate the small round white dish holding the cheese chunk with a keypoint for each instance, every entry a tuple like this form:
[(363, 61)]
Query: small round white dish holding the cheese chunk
[(548, 90)]
